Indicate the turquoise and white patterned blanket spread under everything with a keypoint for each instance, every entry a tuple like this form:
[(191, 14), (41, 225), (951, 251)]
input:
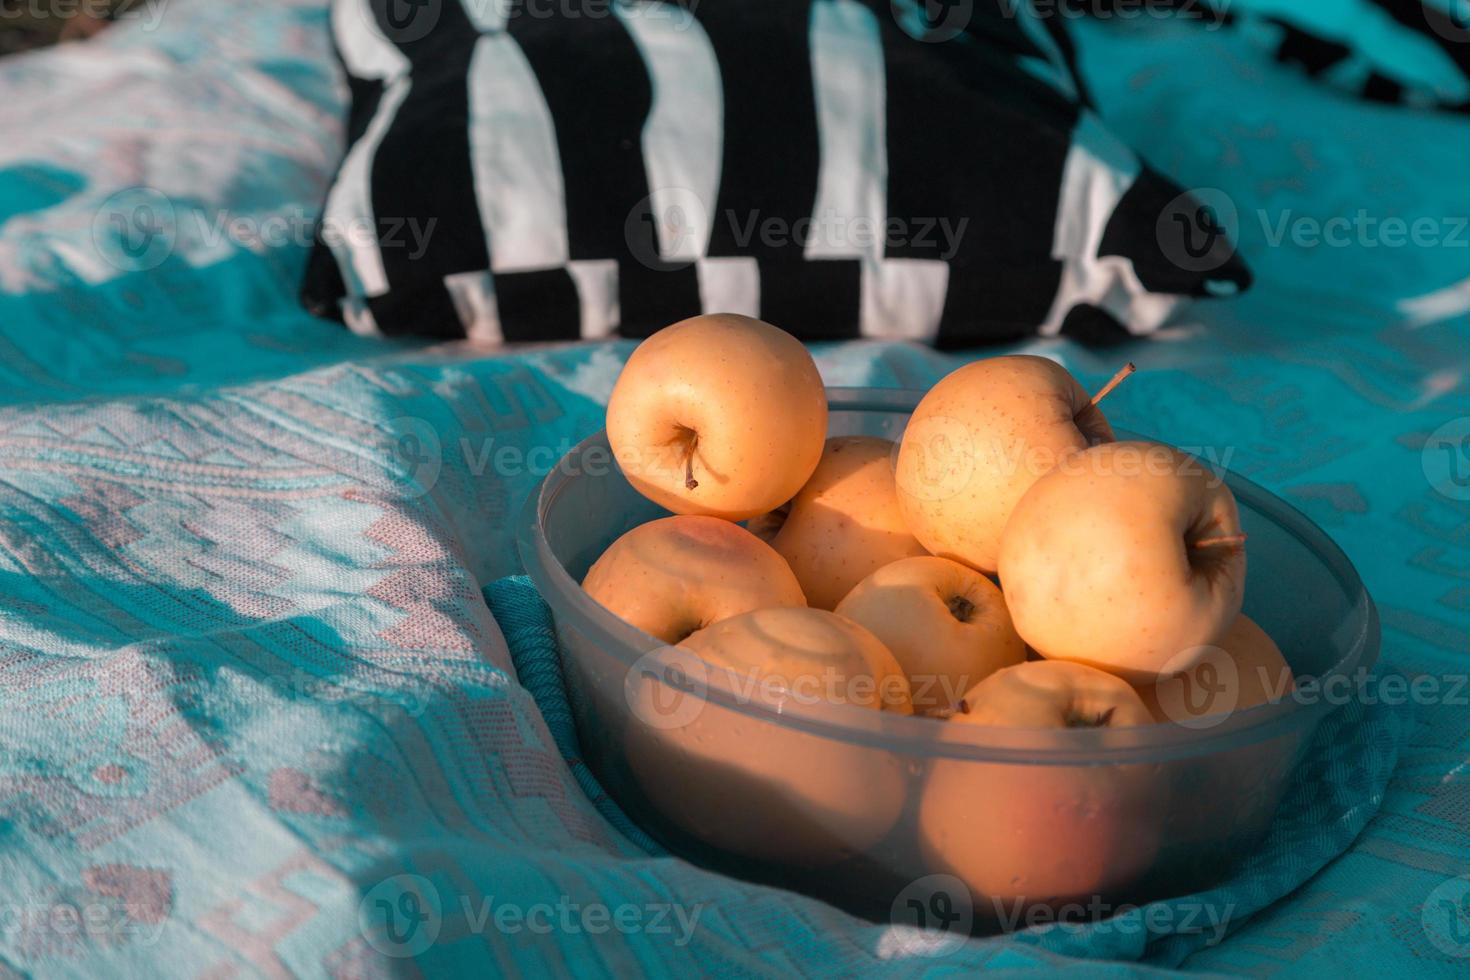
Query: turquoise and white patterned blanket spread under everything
[(246, 674)]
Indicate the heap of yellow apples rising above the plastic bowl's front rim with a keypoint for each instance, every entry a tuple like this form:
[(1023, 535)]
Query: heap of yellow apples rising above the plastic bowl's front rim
[(1008, 563)]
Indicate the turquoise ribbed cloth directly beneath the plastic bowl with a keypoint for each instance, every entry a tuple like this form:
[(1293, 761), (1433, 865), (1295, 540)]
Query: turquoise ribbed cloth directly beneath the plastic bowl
[(1333, 797)]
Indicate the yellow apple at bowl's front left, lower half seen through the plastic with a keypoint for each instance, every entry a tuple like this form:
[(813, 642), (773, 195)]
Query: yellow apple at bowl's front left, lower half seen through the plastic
[(759, 788)]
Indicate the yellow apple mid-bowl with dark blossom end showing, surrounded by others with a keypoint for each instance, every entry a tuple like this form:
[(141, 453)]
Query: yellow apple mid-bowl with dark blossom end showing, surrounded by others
[(946, 624)]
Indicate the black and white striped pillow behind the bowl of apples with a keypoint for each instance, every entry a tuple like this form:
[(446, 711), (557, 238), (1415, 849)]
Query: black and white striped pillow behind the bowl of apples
[(537, 170)]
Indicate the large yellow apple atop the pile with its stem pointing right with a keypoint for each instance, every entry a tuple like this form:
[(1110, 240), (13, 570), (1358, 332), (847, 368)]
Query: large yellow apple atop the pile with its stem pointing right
[(1128, 558)]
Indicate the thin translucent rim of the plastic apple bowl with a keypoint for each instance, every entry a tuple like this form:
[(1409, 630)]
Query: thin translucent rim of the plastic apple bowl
[(934, 738)]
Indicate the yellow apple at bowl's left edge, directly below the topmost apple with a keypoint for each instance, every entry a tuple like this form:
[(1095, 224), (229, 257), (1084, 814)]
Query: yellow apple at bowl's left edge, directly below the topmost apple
[(678, 575)]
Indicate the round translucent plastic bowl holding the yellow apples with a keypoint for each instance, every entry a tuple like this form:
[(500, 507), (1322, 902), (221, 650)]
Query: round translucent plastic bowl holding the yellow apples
[(856, 806)]
